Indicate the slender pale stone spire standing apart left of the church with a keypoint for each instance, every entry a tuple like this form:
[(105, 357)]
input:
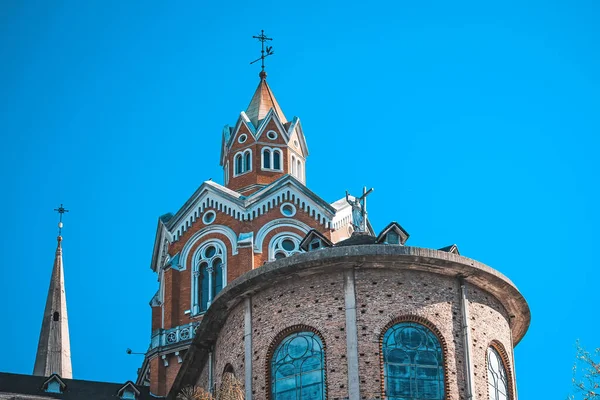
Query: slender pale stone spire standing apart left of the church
[(54, 348)]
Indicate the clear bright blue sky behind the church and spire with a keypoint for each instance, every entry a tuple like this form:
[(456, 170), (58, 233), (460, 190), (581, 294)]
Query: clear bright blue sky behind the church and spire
[(476, 123)]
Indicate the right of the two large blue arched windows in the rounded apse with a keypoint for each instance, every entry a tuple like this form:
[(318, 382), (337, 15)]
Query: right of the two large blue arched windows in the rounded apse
[(412, 363)]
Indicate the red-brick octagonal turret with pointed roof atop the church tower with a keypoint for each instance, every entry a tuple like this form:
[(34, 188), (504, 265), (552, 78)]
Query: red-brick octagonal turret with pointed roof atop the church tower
[(263, 145)]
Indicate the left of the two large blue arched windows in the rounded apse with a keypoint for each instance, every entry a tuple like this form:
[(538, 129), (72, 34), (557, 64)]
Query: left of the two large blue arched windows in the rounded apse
[(298, 368)]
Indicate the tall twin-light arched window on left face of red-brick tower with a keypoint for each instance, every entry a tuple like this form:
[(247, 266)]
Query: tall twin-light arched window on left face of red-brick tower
[(209, 274)]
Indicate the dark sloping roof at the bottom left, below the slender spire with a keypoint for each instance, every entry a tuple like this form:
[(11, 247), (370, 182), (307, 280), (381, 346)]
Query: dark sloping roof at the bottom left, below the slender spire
[(75, 389)]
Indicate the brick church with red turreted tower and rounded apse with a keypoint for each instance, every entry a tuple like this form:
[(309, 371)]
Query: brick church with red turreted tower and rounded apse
[(300, 298)]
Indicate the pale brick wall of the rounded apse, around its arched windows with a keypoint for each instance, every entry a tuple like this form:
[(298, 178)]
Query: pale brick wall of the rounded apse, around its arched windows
[(382, 295)]
